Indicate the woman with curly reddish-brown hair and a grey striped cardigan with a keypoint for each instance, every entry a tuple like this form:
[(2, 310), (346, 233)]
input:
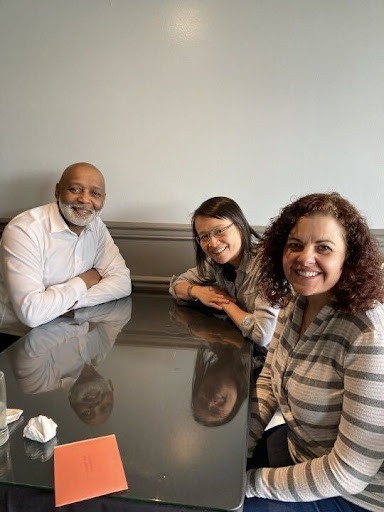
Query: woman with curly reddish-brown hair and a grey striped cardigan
[(325, 364)]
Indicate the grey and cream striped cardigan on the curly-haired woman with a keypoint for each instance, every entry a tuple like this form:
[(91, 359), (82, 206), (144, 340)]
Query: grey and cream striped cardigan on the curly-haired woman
[(329, 385)]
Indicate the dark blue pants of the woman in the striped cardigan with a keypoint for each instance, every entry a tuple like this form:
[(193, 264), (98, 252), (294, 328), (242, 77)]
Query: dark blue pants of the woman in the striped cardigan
[(272, 451)]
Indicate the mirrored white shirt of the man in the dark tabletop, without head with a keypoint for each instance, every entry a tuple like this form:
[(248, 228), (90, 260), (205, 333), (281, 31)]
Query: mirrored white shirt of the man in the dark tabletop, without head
[(53, 355)]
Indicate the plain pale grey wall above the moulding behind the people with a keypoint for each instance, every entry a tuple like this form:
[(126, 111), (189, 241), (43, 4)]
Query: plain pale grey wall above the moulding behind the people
[(176, 101)]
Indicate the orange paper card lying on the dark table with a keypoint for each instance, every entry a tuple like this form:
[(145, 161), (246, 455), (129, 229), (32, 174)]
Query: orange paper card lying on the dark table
[(87, 469)]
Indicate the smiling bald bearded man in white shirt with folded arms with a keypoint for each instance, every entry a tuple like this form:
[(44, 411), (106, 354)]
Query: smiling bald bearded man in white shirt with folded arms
[(61, 256)]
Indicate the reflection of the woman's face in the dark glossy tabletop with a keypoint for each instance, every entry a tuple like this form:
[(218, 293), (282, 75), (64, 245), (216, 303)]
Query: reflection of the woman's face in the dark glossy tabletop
[(215, 398)]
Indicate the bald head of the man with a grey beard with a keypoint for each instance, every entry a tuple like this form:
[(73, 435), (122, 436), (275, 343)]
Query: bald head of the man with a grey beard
[(80, 194)]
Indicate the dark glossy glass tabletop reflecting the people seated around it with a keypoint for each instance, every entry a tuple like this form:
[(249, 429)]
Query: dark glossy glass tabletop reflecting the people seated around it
[(171, 382)]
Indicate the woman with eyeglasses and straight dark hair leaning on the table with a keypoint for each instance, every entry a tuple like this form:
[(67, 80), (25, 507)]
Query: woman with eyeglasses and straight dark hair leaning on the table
[(225, 276)]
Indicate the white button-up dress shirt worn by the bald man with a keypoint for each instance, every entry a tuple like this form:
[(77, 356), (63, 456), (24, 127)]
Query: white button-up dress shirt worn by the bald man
[(41, 259)]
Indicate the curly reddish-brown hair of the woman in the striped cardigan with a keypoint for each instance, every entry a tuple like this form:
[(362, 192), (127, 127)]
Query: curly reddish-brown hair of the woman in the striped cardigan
[(361, 283)]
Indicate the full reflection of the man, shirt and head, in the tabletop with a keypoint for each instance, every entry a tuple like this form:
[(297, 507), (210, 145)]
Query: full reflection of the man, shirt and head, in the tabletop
[(65, 353)]
